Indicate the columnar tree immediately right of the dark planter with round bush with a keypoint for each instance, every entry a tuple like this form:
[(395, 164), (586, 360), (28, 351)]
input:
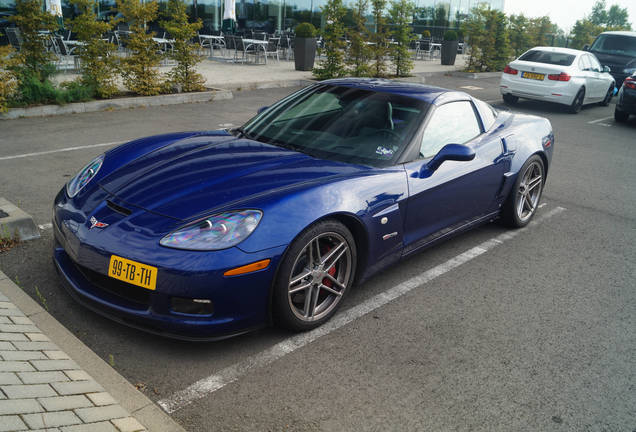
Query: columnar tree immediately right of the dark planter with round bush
[(333, 65)]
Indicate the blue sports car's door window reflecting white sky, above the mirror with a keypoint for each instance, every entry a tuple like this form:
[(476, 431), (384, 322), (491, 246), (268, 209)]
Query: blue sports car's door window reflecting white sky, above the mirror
[(452, 123)]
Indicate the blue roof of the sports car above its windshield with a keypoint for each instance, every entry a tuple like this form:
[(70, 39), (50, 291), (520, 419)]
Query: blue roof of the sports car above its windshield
[(430, 94)]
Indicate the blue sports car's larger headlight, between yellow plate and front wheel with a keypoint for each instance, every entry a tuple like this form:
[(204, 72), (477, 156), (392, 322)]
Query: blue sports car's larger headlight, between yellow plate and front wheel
[(219, 231)]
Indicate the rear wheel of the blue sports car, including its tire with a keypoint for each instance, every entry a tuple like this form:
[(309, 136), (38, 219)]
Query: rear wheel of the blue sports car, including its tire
[(523, 200)]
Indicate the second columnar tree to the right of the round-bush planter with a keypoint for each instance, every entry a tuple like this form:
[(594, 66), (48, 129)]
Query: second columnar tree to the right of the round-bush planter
[(359, 51)]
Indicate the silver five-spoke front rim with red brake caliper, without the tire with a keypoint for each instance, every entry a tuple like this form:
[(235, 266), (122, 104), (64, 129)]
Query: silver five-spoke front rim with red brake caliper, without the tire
[(319, 276)]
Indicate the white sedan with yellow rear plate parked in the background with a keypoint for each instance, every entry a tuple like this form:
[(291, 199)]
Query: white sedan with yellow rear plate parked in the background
[(562, 75)]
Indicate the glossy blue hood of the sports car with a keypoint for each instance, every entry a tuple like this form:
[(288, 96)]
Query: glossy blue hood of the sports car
[(200, 174)]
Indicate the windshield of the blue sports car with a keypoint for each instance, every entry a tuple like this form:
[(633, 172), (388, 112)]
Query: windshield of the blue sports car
[(340, 123)]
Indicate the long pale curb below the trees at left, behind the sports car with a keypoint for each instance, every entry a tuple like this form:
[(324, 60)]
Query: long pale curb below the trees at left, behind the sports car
[(117, 104)]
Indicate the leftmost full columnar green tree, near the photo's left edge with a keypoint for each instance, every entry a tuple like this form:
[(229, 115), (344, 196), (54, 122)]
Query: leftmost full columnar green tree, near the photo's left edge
[(34, 23)]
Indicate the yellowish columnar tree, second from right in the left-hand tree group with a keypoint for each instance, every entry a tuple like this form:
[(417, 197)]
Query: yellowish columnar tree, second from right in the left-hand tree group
[(140, 67)]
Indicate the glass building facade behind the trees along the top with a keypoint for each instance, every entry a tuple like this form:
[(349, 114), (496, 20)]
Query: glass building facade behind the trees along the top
[(280, 15)]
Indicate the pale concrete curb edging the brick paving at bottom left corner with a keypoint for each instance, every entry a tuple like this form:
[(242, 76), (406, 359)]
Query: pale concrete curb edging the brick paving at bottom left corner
[(128, 397)]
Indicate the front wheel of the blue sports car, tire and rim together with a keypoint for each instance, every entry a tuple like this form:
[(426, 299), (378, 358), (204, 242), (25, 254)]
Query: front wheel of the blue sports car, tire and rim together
[(306, 296)]
